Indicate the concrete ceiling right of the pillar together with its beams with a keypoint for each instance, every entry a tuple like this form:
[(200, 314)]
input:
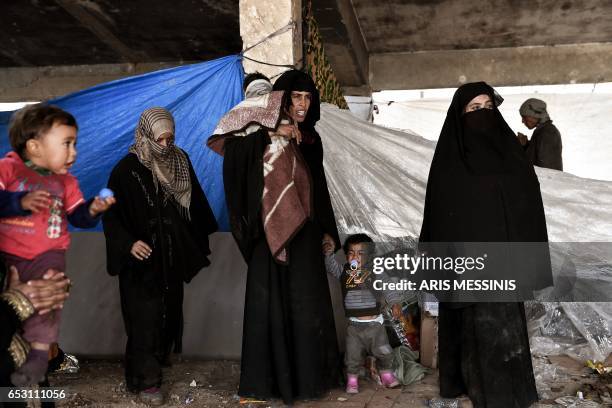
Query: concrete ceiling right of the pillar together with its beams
[(394, 34)]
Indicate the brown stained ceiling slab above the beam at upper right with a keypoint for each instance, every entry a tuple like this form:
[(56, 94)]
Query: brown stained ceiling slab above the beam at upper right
[(400, 26)]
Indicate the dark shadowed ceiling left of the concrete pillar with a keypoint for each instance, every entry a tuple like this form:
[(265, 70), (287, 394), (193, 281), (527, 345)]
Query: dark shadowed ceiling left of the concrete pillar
[(73, 32)]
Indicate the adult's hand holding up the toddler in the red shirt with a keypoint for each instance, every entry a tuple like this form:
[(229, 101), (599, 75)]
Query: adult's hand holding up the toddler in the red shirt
[(46, 294)]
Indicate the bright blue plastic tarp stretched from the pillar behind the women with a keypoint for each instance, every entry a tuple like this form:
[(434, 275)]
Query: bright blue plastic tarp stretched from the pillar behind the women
[(197, 95)]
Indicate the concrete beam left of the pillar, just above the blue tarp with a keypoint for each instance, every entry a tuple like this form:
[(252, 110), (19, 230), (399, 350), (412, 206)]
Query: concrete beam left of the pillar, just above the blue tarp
[(42, 83)]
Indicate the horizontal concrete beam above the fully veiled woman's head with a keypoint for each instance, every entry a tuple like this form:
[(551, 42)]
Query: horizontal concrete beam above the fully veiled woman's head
[(542, 65)]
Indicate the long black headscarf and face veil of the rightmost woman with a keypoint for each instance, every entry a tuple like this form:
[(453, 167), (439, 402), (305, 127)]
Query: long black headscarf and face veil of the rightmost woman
[(481, 187)]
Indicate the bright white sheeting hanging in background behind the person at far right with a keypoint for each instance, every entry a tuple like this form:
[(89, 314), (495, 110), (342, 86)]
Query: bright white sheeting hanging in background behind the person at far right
[(580, 111)]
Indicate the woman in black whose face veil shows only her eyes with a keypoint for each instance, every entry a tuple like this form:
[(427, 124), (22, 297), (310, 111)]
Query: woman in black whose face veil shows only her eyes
[(481, 188)]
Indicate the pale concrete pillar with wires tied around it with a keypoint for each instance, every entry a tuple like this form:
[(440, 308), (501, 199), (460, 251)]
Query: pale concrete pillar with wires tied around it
[(260, 18)]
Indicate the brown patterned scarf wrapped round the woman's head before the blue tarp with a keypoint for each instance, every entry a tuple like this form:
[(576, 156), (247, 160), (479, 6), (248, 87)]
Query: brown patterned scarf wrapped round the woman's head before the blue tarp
[(169, 165)]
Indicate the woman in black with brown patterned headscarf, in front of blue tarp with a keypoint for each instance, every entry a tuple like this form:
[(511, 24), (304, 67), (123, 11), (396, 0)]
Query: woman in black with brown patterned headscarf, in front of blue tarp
[(156, 239)]
